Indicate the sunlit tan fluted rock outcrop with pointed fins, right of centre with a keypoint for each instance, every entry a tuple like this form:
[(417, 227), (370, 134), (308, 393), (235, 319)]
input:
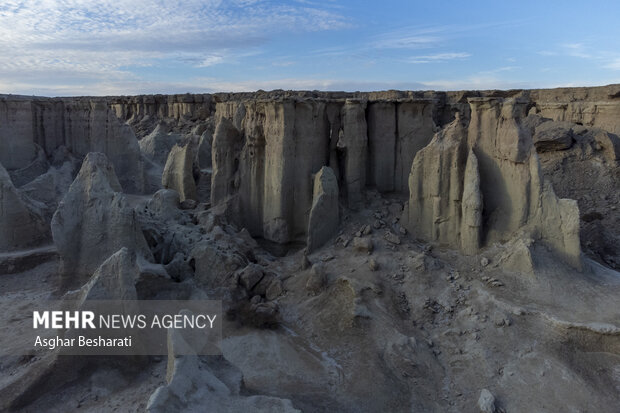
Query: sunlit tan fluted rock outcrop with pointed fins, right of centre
[(446, 196)]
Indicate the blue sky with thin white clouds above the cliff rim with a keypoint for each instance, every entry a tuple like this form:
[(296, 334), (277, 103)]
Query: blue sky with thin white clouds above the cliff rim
[(128, 47)]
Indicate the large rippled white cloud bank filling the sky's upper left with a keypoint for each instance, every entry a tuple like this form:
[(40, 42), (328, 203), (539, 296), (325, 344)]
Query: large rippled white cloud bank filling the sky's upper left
[(97, 41)]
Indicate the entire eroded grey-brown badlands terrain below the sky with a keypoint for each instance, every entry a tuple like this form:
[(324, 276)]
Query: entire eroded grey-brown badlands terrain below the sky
[(412, 248)]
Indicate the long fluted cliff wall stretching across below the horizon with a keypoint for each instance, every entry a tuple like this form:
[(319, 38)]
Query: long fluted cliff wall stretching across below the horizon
[(465, 162)]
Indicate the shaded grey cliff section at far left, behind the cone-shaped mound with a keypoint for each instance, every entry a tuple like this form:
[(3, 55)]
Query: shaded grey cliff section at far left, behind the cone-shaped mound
[(81, 125)]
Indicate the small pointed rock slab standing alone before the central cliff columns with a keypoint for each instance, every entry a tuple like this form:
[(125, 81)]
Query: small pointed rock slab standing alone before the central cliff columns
[(325, 212)]
